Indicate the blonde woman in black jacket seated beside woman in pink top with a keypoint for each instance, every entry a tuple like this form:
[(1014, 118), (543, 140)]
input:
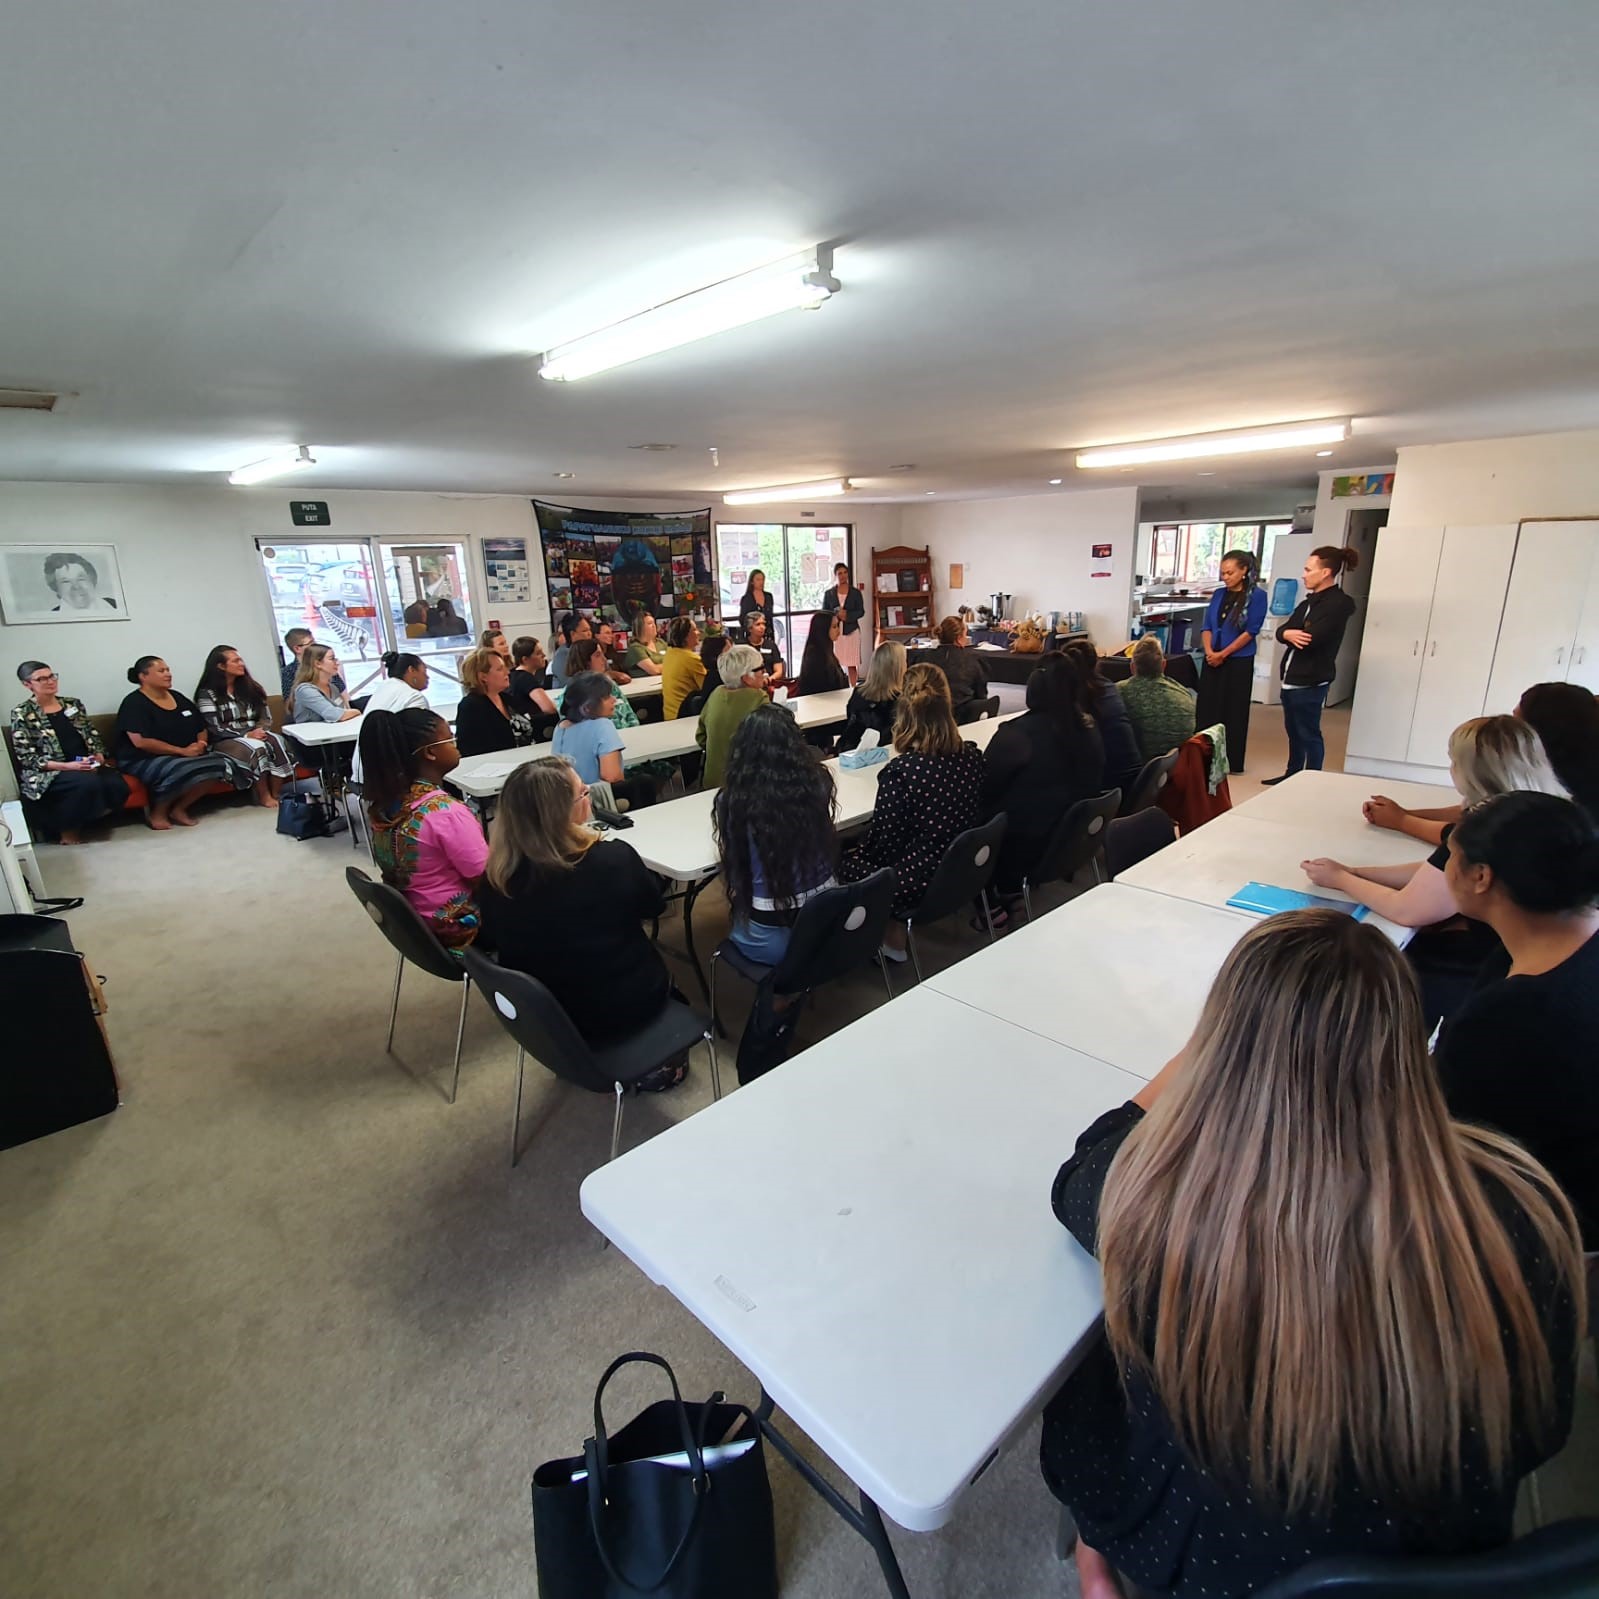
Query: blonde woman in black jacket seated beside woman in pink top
[(568, 907)]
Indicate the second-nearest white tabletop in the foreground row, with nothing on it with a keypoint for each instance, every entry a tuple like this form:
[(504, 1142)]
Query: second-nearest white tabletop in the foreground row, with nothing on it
[(1119, 973)]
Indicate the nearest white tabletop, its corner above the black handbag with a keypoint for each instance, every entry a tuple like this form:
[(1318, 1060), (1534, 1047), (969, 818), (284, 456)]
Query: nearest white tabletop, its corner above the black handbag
[(895, 1275)]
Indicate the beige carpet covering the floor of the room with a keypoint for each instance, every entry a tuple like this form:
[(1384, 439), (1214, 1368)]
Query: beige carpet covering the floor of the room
[(289, 1325)]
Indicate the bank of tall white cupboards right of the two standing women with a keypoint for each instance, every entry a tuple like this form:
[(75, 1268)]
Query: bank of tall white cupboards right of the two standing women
[(1461, 623)]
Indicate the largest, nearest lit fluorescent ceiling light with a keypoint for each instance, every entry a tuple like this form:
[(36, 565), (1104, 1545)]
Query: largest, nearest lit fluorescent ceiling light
[(799, 284)]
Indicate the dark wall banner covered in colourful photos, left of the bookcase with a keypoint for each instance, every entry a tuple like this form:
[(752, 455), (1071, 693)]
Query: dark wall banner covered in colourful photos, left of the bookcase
[(612, 564)]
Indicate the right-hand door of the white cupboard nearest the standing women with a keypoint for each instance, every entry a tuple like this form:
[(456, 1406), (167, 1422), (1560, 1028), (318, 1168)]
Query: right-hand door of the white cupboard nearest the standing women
[(1459, 653)]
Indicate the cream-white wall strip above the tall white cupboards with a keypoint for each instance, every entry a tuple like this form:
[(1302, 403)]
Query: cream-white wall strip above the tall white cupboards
[(1493, 480)]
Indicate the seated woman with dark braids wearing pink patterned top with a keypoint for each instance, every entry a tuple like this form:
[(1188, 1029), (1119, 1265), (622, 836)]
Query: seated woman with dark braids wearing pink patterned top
[(426, 845)]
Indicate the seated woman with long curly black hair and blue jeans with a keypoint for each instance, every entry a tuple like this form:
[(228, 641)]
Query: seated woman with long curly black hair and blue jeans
[(775, 834)]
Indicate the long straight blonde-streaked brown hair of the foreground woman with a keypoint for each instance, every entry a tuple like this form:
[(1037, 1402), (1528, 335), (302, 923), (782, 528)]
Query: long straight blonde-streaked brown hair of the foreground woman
[(1299, 1246)]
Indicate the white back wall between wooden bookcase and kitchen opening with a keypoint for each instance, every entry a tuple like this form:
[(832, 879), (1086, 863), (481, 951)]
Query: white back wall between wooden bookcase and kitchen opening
[(1037, 549)]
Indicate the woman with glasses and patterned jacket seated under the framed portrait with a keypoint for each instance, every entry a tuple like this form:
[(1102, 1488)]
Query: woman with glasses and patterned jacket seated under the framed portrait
[(62, 764)]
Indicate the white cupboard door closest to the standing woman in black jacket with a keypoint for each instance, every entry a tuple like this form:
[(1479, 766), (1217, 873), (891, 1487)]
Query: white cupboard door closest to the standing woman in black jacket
[(1398, 608)]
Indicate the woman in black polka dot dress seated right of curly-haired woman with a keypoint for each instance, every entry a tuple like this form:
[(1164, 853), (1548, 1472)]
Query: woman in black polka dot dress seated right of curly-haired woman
[(927, 796)]
